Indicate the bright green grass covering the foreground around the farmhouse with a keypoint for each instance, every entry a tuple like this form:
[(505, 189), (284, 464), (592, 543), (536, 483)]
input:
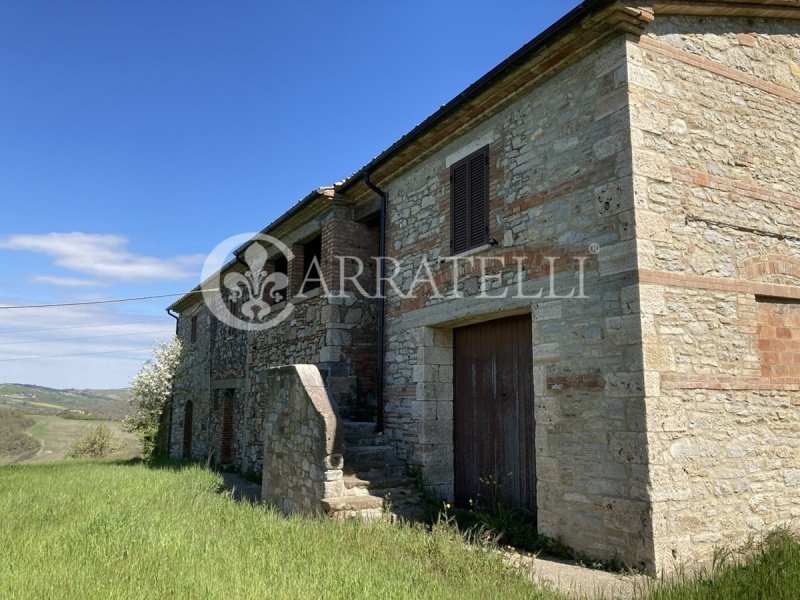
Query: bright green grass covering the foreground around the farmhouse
[(105, 529)]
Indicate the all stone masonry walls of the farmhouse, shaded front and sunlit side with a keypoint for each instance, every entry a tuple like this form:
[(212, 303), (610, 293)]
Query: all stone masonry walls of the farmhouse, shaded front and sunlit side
[(650, 190)]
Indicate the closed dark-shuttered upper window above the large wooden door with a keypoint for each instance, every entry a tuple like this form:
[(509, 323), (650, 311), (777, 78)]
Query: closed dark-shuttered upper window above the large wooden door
[(469, 202)]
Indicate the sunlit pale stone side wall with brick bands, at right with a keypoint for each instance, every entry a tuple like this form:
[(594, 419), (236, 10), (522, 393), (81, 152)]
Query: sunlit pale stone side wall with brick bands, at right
[(715, 135)]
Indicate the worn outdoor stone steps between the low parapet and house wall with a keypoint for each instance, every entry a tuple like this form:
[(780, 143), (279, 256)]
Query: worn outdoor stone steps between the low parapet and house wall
[(377, 482)]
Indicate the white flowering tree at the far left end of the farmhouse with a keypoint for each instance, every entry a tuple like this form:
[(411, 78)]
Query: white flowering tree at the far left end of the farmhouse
[(151, 390)]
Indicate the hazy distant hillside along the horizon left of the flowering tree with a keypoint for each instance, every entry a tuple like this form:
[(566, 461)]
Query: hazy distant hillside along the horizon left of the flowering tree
[(107, 404)]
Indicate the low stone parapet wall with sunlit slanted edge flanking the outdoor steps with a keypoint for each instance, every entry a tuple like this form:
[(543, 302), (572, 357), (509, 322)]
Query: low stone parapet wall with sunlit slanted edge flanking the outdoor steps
[(303, 442)]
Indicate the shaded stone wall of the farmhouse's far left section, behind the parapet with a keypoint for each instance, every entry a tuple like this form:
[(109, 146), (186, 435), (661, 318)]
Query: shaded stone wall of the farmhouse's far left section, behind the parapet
[(336, 332)]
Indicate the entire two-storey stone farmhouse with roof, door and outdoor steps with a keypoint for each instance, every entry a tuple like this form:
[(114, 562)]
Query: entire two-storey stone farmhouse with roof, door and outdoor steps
[(602, 238)]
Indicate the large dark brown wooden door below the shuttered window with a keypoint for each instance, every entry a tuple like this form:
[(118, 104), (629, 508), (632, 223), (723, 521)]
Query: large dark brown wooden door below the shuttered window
[(493, 412)]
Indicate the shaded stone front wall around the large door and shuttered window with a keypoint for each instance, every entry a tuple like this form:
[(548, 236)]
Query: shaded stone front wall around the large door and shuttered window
[(560, 187)]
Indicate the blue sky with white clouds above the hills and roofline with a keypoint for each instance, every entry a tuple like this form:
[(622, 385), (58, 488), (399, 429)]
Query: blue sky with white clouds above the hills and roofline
[(136, 136)]
